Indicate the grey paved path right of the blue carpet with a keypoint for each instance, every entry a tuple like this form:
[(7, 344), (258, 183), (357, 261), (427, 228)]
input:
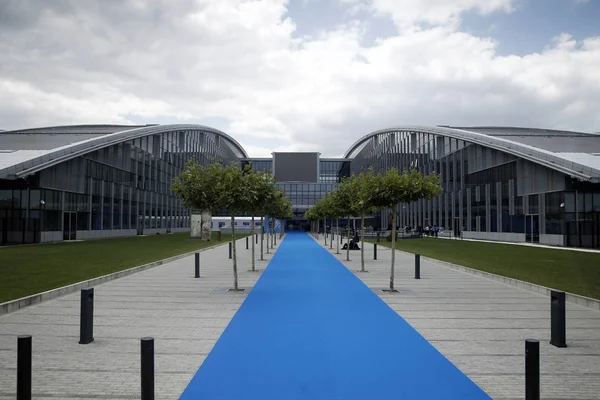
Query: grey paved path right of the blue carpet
[(481, 326)]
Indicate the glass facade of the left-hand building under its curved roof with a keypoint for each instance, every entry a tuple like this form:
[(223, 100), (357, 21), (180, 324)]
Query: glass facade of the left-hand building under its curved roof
[(117, 190)]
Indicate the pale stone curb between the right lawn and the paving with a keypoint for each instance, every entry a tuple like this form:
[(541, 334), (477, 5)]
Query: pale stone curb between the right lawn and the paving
[(573, 298)]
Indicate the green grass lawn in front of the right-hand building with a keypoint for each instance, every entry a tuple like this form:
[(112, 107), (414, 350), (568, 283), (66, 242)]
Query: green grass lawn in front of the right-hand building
[(571, 271)]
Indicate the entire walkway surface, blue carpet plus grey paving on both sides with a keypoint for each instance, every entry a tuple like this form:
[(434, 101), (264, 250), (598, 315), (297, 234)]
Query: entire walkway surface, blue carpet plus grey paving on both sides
[(478, 324)]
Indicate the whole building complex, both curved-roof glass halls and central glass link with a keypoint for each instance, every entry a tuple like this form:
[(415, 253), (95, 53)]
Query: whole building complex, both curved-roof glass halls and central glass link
[(511, 184)]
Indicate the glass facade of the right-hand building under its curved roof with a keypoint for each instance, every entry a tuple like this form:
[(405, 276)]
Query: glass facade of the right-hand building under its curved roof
[(488, 193)]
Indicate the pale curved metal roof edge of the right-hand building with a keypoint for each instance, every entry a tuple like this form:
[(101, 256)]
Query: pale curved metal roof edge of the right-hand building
[(561, 162)]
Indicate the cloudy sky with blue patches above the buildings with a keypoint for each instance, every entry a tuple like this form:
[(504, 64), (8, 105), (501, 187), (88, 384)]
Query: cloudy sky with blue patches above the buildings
[(301, 74)]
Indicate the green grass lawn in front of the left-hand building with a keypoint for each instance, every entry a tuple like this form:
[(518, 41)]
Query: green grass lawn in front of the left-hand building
[(26, 270)]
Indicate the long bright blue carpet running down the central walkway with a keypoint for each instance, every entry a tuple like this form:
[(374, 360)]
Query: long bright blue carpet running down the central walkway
[(310, 329)]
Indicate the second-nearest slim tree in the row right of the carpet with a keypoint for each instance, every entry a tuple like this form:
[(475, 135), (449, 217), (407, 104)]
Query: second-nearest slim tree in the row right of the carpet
[(364, 188)]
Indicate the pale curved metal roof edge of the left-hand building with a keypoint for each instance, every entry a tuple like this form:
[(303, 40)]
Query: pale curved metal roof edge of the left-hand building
[(25, 162)]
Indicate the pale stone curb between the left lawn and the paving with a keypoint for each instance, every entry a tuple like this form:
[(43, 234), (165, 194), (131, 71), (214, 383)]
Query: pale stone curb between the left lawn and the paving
[(17, 304)]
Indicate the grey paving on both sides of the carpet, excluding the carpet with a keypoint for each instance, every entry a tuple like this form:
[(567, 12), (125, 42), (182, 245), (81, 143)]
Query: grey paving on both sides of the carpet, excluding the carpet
[(478, 324)]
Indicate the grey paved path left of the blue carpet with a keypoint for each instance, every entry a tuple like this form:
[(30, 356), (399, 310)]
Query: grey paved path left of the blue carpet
[(186, 316)]
